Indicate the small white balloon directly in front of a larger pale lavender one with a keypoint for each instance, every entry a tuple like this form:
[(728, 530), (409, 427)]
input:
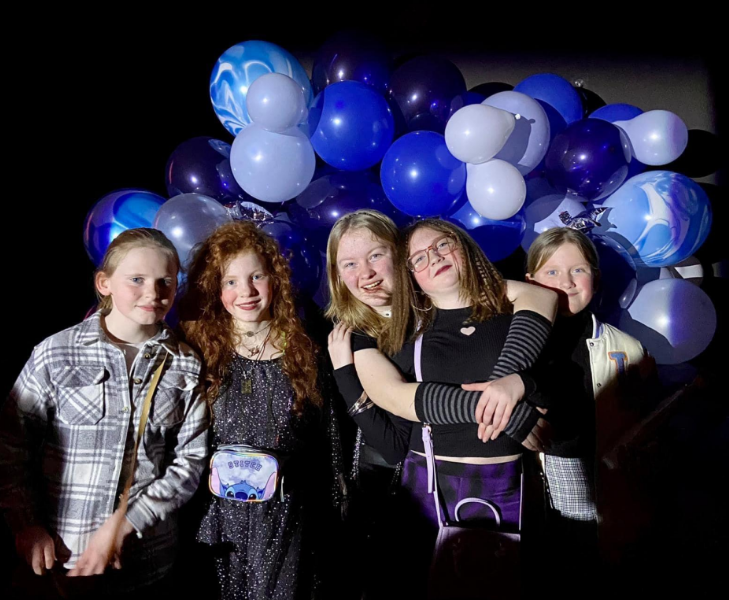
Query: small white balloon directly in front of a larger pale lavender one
[(475, 133)]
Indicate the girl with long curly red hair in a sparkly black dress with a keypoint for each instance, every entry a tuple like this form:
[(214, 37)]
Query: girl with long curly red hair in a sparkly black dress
[(262, 371)]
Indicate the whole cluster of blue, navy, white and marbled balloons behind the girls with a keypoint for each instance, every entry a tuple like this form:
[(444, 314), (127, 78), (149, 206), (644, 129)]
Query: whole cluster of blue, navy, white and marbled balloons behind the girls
[(506, 163)]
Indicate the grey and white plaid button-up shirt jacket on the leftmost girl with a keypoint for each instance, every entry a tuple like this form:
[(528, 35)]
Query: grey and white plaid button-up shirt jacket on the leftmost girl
[(67, 434)]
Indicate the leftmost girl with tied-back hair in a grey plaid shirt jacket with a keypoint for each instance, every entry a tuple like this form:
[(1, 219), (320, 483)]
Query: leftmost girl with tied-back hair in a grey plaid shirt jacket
[(69, 429)]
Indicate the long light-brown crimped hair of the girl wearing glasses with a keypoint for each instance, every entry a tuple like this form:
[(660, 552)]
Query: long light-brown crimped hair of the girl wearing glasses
[(481, 286)]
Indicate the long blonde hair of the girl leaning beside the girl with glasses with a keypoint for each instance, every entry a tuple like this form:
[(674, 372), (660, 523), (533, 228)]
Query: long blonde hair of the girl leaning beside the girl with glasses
[(343, 306)]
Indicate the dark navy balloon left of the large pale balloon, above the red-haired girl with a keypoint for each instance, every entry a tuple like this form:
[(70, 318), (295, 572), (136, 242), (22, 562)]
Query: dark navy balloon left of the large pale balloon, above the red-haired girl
[(202, 165)]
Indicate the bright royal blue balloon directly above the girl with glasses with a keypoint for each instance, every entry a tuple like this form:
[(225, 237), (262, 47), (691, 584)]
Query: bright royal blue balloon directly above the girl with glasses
[(421, 177)]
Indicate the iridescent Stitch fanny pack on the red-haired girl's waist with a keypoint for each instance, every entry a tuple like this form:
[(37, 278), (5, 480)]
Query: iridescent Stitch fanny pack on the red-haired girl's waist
[(244, 474)]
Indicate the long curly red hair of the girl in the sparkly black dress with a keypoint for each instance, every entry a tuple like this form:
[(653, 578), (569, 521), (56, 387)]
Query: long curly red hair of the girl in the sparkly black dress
[(209, 327)]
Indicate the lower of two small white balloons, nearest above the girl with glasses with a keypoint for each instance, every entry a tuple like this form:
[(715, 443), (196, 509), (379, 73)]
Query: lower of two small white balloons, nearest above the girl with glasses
[(495, 189)]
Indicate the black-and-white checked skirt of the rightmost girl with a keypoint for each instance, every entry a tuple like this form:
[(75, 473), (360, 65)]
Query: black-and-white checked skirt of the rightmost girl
[(571, 488)]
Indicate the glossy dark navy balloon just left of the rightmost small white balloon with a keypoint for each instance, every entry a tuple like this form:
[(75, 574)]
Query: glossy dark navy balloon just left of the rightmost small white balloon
[(589, 159)]
